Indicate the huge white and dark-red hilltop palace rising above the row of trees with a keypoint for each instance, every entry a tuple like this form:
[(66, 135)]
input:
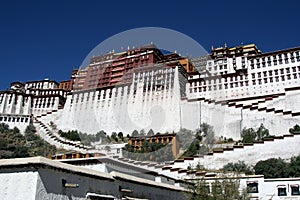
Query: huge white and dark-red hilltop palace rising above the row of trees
[(142, 88)]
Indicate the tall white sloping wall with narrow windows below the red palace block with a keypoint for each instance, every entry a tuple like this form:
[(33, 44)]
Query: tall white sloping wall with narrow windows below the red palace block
[(126, 108)]
